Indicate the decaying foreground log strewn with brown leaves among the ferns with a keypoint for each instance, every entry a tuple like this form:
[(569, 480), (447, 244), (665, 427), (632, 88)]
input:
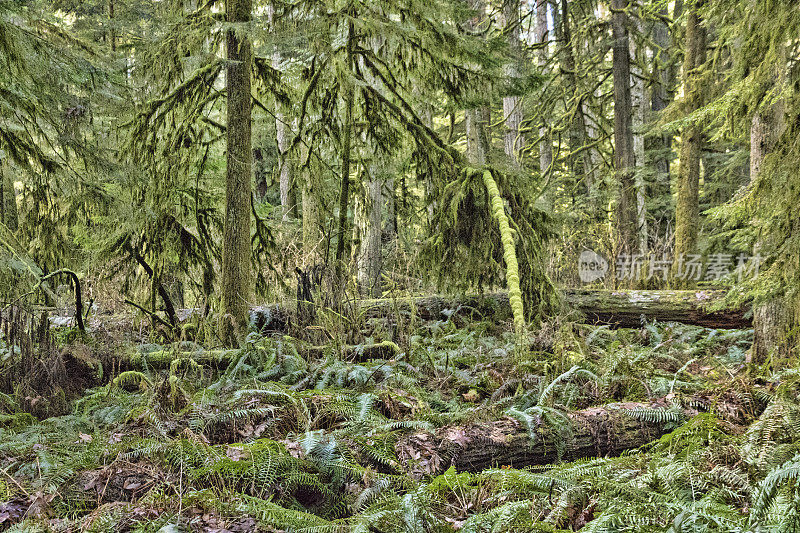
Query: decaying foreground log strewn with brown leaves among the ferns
[(596, 432)]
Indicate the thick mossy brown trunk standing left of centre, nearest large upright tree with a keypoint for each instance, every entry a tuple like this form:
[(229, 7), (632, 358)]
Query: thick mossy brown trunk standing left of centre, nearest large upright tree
[(236, 275)]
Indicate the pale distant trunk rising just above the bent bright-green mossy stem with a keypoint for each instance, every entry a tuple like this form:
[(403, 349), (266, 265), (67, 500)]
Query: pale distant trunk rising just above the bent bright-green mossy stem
[(512, 105)]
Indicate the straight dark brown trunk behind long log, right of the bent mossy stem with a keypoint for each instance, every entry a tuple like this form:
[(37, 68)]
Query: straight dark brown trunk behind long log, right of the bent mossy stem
[(624, 159)]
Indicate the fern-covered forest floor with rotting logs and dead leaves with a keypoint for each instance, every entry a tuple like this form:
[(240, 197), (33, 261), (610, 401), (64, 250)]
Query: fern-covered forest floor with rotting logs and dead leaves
[(652, 429)]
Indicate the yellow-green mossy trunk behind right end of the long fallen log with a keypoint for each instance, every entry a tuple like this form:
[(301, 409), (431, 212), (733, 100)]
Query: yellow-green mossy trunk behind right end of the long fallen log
[(687, 210)]
